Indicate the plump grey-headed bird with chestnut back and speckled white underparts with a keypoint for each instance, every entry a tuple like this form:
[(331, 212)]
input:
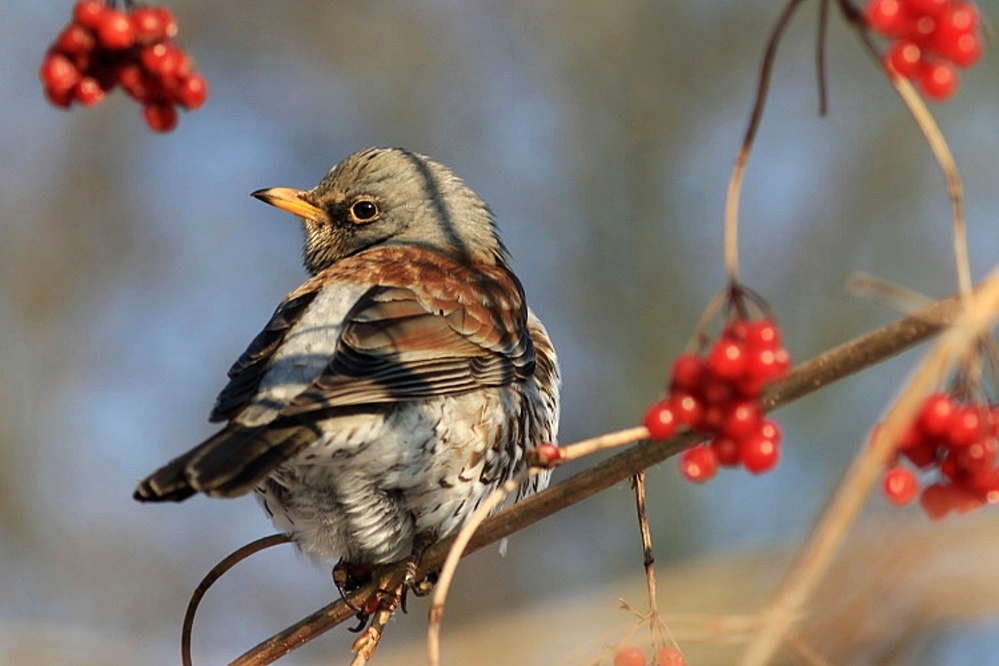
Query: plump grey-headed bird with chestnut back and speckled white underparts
[(397, 387)]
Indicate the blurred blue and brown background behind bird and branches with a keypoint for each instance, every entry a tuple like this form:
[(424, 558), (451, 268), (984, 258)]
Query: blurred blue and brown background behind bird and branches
[(134, 268)]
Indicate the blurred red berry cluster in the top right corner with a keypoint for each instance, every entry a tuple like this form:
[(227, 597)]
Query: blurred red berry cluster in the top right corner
[(931, 38)]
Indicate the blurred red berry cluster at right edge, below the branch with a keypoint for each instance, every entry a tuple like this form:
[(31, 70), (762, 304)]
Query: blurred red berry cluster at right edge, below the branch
[(960, 442)]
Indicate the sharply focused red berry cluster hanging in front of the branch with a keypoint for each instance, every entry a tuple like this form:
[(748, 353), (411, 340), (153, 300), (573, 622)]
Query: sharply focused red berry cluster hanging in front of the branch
[(718, 395)]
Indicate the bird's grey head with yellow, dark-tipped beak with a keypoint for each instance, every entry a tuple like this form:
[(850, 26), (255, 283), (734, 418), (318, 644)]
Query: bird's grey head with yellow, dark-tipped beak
[(389, 196)]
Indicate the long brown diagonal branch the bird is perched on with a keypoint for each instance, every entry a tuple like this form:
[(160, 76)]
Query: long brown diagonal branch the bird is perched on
[(810, 376)]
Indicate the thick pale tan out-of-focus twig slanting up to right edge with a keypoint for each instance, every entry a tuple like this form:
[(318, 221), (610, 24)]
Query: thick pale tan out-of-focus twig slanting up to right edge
[(846, 503)]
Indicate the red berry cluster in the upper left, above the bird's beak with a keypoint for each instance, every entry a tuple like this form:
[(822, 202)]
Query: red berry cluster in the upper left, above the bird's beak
[(103, 47)]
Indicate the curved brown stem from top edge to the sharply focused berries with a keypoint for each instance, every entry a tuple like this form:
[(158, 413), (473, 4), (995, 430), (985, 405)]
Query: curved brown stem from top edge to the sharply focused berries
[(739, 170)]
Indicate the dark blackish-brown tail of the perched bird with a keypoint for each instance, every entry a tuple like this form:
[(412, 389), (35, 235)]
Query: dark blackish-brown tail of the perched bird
[(229, 463)]
